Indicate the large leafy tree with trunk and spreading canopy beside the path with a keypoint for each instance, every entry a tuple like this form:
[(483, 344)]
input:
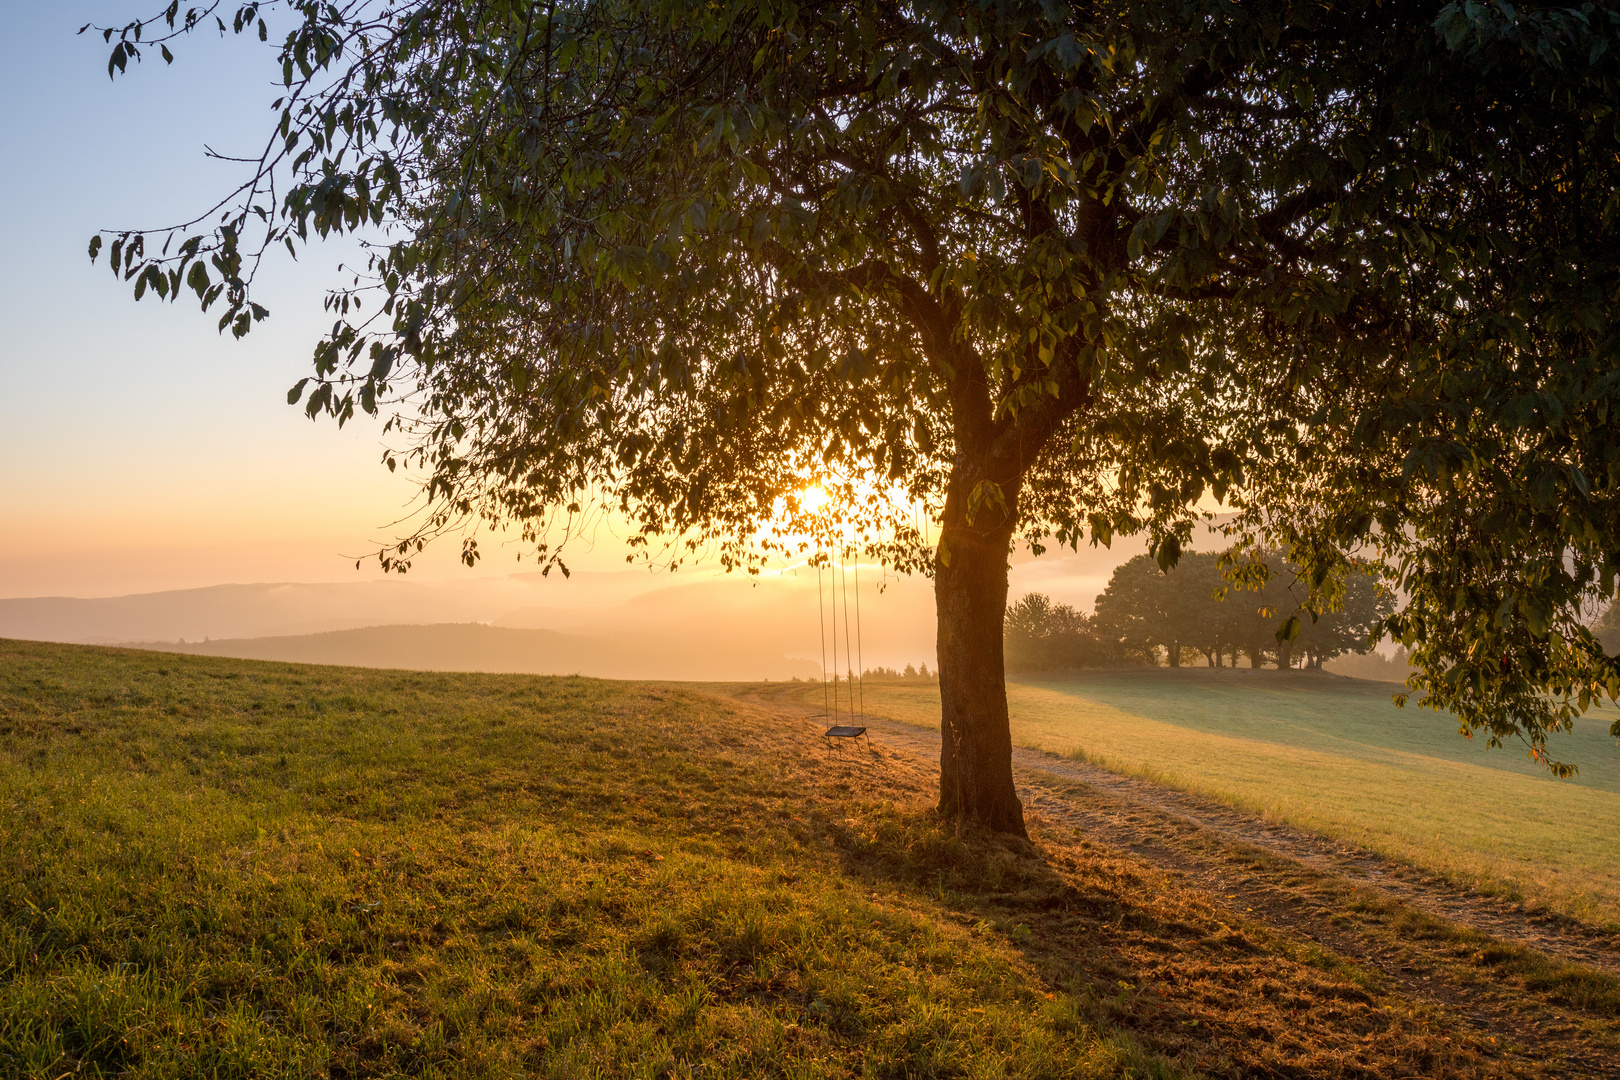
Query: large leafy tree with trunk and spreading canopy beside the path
[(1047, 271)]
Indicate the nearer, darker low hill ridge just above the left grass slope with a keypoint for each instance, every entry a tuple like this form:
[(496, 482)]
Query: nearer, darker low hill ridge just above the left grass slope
[(480, 648)]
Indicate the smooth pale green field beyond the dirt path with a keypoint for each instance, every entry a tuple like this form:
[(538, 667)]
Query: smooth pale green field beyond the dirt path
[(1337, 757)]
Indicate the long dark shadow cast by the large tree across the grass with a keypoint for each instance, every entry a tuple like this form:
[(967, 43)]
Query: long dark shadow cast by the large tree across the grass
[(1143, 953)]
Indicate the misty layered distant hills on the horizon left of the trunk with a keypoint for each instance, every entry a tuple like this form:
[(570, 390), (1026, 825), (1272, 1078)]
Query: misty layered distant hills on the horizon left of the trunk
[(671, 623)]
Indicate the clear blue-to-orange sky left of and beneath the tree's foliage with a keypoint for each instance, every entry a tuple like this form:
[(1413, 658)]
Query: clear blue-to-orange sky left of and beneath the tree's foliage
[(143, 451)]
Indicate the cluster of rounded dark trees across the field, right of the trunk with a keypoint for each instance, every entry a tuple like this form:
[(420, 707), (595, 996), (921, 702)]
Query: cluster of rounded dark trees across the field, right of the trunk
[(1193, 613)]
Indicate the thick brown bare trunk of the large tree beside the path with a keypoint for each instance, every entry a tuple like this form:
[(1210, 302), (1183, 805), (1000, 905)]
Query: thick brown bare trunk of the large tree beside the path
[(971, 595)]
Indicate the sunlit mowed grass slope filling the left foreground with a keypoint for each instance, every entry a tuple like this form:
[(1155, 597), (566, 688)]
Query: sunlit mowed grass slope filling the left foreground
[(237, 869)]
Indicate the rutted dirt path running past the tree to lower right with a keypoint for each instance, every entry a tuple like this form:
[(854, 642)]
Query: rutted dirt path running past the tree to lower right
[(1494, 966)]
